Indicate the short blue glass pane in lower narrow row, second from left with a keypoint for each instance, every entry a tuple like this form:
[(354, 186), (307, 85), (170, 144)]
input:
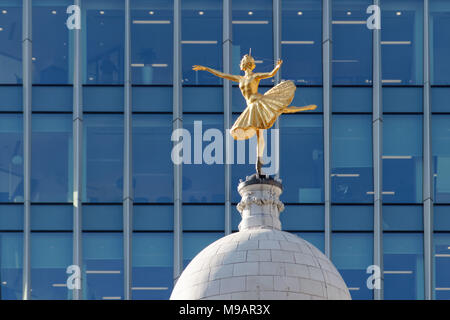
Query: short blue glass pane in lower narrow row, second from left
[(51, 217)]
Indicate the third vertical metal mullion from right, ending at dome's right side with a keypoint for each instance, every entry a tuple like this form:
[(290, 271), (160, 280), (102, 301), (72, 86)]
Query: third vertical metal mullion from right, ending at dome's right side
[(327, 87)]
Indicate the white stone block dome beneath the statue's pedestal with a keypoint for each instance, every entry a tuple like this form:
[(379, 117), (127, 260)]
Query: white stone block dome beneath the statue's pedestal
[(260, 264)]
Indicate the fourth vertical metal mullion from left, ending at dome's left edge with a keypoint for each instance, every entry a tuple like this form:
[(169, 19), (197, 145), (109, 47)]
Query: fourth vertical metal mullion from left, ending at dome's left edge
[(177, 124)]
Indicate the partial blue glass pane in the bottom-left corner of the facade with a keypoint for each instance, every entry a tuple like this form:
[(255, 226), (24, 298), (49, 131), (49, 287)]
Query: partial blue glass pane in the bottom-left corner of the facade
[(11, 248)]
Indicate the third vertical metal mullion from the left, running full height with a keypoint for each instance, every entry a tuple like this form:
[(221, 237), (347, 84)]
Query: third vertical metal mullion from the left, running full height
[(127, 164)]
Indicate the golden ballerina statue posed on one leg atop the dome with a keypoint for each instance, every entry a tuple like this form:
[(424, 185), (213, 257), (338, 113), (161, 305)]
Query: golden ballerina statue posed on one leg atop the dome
[(262, 109)]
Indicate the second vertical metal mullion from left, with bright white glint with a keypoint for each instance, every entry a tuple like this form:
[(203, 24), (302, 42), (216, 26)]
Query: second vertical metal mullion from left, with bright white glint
[(77, 157)]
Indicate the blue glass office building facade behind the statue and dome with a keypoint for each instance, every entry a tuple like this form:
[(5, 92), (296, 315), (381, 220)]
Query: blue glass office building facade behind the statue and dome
[(87, 115)]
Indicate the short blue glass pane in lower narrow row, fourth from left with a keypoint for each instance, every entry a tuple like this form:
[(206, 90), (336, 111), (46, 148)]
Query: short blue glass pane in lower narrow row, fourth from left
[(154, 217)]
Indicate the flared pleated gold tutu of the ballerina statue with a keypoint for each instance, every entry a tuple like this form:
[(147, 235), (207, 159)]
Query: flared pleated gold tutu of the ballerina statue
[(263, 110)]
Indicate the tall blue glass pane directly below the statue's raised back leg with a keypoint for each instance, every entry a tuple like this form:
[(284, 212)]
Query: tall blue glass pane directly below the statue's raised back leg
[(301, 158)]
